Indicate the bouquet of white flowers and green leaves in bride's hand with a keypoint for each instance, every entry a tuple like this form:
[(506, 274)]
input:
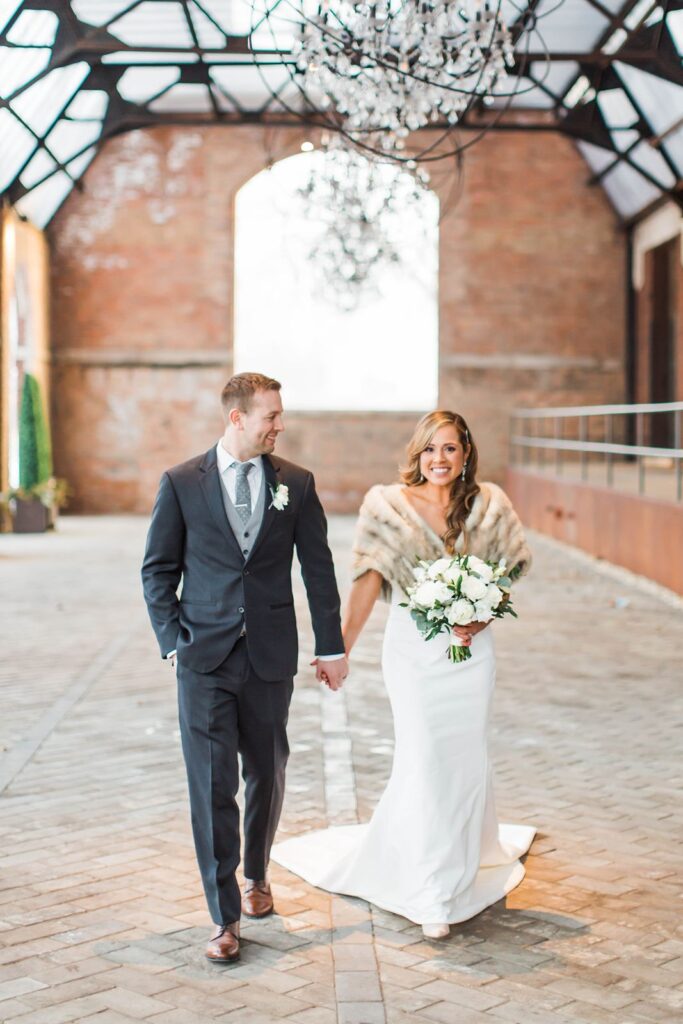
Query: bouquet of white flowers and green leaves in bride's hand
[(458, 591)]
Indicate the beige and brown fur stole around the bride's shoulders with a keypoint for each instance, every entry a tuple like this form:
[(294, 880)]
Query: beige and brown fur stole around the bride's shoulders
[(393, 538)]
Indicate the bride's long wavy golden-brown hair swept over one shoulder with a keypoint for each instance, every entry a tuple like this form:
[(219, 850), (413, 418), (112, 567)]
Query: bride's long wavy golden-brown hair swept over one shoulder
[(464, 492)]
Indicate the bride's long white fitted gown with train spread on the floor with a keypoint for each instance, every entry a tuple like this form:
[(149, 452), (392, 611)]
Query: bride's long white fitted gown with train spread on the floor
[(434, 851)]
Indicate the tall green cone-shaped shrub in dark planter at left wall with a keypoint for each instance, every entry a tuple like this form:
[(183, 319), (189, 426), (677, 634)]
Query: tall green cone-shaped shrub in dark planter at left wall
[(35, 503)]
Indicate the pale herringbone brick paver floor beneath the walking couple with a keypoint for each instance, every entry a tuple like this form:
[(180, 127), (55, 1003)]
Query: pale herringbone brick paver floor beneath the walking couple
[(102, 919)]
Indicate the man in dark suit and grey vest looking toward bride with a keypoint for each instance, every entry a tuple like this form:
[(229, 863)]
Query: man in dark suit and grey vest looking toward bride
[(227, 524)]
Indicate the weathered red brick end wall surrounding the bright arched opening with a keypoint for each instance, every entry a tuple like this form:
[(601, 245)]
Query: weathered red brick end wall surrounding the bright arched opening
[(532, 284)]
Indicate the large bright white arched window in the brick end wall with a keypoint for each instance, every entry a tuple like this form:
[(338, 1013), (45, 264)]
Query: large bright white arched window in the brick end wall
[(382, 355)]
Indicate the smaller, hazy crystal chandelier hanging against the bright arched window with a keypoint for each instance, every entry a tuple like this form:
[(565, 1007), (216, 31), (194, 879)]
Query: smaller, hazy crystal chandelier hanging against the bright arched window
[(361, 206)]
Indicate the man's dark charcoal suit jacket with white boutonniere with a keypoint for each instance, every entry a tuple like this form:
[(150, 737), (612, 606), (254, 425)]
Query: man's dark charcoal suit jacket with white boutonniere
[(190, 539)]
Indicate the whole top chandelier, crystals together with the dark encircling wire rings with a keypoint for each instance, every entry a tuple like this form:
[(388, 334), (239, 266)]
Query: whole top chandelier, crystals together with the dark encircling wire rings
[(399, 79)]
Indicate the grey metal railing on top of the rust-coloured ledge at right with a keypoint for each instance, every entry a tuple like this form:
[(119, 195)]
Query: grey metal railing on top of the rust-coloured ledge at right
[(641, 437)]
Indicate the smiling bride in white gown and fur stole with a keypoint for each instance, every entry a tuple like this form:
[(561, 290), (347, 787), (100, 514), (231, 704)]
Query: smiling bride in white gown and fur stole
[(434, 851)]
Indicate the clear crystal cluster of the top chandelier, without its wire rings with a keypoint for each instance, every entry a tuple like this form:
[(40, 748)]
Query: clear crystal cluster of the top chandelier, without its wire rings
[(393, 67)]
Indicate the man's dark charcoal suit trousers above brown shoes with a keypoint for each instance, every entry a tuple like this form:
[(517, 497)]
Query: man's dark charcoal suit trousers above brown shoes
[(223, 713)]
